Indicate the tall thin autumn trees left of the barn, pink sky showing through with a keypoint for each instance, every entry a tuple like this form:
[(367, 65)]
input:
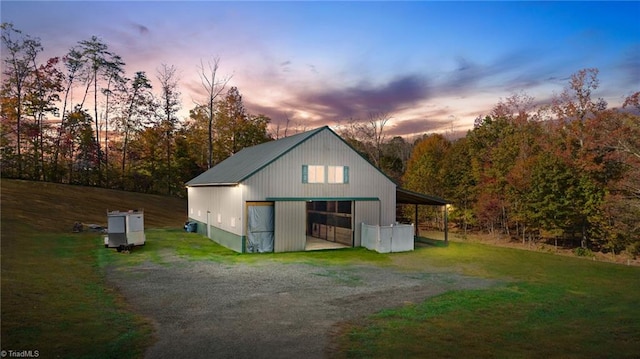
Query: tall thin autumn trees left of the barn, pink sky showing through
[(79, 119)]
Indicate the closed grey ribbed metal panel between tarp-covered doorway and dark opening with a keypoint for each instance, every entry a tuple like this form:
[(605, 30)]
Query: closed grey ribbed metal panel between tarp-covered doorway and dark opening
[(290, 220)]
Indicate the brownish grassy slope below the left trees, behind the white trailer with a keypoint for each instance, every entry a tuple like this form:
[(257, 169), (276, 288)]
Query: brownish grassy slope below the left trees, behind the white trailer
[(56, 207)]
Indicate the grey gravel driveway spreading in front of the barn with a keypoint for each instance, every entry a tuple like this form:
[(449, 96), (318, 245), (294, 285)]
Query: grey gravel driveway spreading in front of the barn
[(266, 310)]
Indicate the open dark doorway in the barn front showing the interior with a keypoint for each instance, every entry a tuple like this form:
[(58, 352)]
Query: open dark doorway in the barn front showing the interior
[(329, 224)]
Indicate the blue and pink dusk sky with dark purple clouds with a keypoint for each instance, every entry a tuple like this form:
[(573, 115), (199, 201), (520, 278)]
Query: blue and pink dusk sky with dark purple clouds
[(434, 66)]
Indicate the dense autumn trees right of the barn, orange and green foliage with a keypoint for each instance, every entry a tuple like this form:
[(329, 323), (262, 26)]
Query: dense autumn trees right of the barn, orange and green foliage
[(566, 172)]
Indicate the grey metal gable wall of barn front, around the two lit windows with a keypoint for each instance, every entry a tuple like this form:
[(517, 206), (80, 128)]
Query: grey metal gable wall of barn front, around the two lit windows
[(283, 177)]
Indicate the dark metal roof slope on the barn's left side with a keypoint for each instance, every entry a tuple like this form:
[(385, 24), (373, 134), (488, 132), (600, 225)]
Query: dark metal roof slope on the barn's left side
[(250, 160)]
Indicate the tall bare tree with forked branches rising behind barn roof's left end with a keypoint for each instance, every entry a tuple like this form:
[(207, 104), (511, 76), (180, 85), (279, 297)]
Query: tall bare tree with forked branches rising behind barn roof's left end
[(213, 85)]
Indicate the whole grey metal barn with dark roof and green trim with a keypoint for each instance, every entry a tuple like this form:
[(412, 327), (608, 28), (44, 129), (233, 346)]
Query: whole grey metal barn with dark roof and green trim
[(293, 193)]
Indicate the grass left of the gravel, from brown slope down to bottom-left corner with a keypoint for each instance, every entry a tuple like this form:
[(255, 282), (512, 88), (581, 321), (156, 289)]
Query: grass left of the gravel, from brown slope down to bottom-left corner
[(54, 296)]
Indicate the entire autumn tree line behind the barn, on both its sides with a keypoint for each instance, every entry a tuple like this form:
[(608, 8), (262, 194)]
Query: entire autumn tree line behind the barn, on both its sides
[(564, 171)]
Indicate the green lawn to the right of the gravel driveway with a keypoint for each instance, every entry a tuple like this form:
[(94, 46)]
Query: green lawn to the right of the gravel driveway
[(551, 306)]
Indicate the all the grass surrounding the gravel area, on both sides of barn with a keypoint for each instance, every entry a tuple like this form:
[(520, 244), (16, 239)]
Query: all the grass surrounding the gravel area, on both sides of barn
[(55, 298)]
